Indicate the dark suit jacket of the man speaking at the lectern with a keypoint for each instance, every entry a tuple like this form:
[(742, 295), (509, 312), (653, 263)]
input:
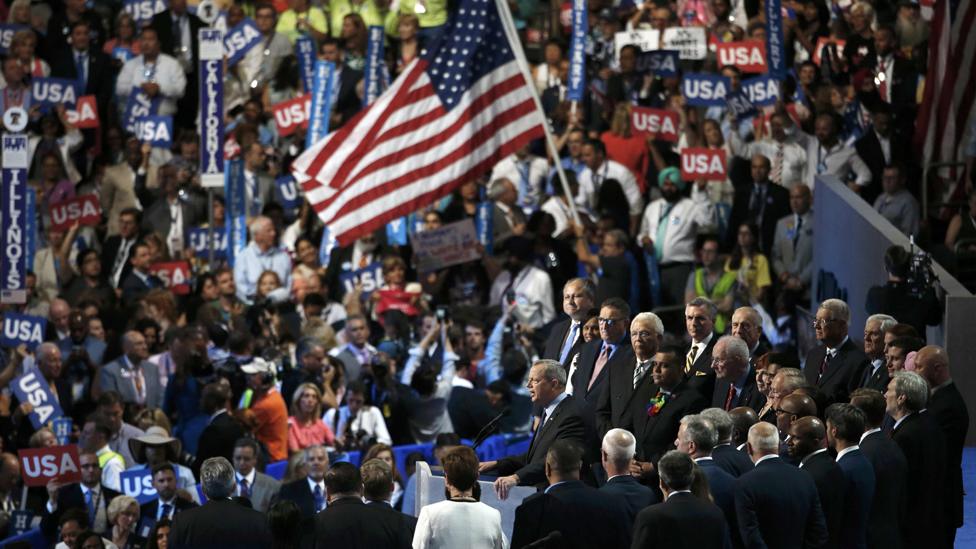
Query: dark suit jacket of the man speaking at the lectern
[(565, 423)]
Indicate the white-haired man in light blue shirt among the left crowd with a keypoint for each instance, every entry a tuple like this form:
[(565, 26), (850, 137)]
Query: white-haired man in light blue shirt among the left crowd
[(262, 254)]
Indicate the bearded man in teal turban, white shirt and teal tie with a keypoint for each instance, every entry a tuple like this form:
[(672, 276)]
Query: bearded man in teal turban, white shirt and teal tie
[(669, 228)]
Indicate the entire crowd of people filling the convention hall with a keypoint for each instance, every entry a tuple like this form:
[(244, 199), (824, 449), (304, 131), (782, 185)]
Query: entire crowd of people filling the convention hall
[(710, 422)]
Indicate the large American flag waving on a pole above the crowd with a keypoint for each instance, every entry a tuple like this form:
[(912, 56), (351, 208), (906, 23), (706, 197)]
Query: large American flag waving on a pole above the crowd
[(447, 119)]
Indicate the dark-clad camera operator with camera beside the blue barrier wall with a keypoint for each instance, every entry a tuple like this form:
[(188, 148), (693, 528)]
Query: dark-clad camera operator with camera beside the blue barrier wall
[(909, 295)]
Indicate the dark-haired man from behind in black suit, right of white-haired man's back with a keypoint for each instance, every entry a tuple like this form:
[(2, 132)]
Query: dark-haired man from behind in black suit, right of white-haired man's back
[(684, 519)]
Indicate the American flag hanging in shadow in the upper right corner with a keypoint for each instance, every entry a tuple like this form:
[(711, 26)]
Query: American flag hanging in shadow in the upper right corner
[(950, 85)]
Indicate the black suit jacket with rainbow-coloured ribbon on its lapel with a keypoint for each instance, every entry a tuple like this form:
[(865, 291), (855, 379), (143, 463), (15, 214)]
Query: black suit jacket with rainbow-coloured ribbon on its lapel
[(655, 434)]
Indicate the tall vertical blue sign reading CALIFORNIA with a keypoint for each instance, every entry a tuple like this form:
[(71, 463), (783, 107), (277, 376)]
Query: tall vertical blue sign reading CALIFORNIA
[(211, 108)]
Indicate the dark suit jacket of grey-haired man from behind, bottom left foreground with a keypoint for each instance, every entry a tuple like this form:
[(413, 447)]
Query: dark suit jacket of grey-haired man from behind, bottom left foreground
[(220, 523)]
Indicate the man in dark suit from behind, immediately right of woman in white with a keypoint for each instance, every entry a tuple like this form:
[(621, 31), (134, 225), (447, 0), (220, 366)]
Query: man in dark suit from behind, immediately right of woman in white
[(583, 516)]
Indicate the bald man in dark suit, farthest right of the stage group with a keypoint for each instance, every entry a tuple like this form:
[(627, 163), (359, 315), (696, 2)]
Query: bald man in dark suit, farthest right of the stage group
[(949, 410)]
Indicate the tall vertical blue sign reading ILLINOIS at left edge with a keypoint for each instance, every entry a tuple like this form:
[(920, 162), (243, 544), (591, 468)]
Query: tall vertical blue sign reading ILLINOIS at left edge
[(13, 197)]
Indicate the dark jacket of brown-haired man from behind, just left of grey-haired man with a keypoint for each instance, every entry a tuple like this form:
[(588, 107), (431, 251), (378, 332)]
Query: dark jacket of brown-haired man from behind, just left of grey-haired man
[(888, 505)]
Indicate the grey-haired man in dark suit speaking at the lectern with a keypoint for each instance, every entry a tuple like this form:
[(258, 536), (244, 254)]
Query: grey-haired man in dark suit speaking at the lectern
[(560, 420)]
